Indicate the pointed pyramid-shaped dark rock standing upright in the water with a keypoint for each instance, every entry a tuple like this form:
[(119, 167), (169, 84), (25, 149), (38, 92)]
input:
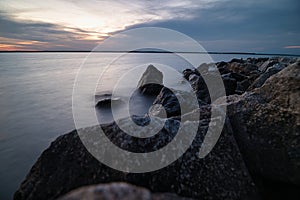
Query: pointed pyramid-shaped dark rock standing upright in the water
[(151, 81)]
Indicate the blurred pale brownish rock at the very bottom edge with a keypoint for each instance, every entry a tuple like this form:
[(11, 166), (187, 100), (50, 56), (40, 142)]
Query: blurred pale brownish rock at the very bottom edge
[(117, 191)]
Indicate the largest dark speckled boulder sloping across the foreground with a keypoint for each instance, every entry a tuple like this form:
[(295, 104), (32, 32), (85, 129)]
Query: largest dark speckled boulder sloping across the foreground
[(67, 165)]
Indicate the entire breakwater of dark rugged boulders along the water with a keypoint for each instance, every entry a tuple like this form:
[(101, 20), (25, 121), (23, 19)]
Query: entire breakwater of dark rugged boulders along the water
[(258, 149)]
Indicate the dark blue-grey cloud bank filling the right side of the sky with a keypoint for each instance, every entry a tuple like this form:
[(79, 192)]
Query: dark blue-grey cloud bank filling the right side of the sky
[(255, 26)]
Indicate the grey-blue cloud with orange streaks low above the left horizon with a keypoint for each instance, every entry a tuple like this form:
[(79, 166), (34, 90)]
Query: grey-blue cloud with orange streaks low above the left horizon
[(29, 35)]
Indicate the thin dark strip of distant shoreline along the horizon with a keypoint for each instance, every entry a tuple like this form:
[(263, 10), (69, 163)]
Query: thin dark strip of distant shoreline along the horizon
[(153, 51)]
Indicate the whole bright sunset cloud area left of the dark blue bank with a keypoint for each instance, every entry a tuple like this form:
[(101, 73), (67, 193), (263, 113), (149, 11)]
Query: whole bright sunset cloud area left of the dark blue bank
[(66, 23)]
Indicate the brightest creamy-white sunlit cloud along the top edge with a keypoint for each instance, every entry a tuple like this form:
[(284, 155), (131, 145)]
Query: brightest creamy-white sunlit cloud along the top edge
[(103, 17)]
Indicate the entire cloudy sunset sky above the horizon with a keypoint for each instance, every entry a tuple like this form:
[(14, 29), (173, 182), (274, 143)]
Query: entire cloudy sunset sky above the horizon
[(261, 26)]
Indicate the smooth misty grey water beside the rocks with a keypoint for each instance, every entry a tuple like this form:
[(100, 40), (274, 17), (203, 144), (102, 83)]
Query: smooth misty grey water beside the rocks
[(36, 103)]
